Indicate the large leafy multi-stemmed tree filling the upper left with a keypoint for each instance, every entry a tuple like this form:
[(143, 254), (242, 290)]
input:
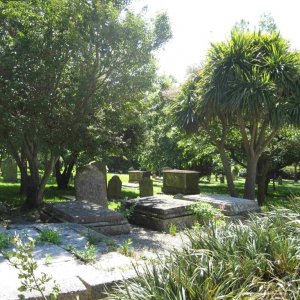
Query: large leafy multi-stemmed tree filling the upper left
[(60, 63)]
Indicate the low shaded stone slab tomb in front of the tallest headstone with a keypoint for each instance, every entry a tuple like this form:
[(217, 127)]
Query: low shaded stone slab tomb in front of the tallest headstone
[(88, 214)]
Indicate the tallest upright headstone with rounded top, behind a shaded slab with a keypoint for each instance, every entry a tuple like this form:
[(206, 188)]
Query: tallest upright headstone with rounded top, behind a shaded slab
[(90, 185)]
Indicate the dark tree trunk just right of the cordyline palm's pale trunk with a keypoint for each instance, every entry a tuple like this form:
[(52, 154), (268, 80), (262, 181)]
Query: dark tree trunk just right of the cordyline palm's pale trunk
[(263, 167)]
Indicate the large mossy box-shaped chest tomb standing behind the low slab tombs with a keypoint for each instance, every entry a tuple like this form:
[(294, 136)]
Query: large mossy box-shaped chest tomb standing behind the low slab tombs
[(180, 181)]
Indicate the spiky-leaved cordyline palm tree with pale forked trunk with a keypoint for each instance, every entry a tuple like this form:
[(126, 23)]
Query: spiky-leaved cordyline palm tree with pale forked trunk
[(251, 81)]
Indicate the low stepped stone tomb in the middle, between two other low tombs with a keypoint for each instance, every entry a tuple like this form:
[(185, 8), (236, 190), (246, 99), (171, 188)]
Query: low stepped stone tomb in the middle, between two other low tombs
[(159, 212)]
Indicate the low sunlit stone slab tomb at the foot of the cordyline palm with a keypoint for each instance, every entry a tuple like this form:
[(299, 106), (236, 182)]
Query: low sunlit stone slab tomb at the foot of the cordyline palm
[(230, 206)]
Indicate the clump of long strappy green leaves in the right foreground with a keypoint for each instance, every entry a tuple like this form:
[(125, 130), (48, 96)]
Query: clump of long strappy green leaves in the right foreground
[(255, 259)]
